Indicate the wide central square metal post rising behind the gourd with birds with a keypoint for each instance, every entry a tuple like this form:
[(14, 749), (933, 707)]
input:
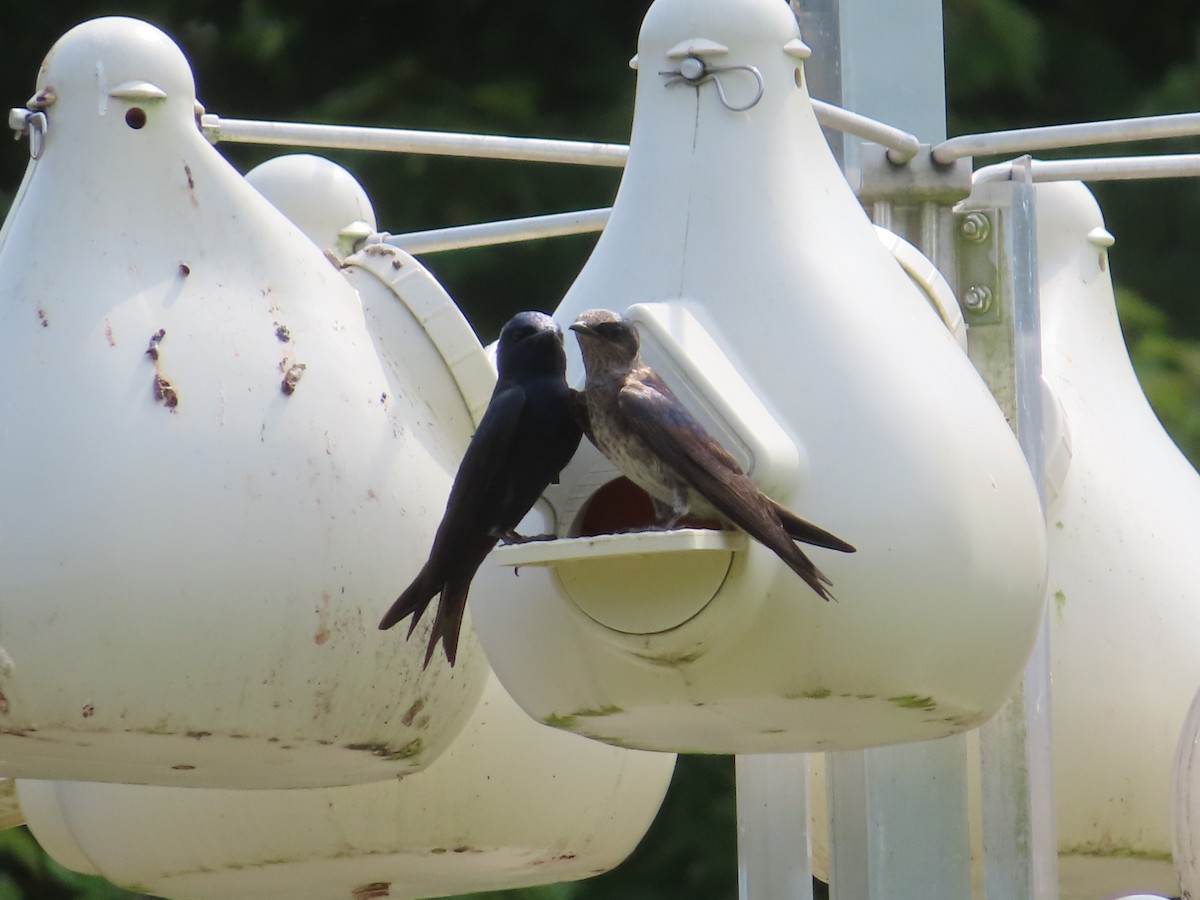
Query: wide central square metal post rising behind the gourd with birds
[(898, 814)]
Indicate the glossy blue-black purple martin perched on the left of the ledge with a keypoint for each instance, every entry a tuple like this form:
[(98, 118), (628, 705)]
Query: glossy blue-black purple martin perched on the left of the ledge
[(529, 434)]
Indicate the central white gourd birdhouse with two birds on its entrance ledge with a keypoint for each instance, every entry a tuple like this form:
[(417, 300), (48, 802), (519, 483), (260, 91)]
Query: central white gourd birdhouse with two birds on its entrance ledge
[(767, 303)]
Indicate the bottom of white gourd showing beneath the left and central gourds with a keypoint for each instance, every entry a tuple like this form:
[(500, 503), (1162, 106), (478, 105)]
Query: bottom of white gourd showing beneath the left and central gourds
[(511, 803)]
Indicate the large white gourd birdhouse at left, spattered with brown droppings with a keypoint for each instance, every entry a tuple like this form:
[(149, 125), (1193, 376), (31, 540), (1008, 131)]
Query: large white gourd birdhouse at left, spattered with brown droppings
[(214, 485)]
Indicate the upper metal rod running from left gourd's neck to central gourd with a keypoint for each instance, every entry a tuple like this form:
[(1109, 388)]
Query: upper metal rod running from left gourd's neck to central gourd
[(343, 137)]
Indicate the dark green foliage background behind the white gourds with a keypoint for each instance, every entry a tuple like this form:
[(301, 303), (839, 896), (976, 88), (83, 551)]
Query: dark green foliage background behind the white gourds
[(560, 70)]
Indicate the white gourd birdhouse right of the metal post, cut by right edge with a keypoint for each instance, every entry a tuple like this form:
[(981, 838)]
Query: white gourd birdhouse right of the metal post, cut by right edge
[(1124, 515)]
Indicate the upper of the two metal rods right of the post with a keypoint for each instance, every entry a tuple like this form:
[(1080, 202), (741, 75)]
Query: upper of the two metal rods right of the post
[(1059, 136)]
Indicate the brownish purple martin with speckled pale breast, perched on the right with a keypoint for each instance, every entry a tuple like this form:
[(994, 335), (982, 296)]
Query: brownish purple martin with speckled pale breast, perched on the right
[(647, 434)]
